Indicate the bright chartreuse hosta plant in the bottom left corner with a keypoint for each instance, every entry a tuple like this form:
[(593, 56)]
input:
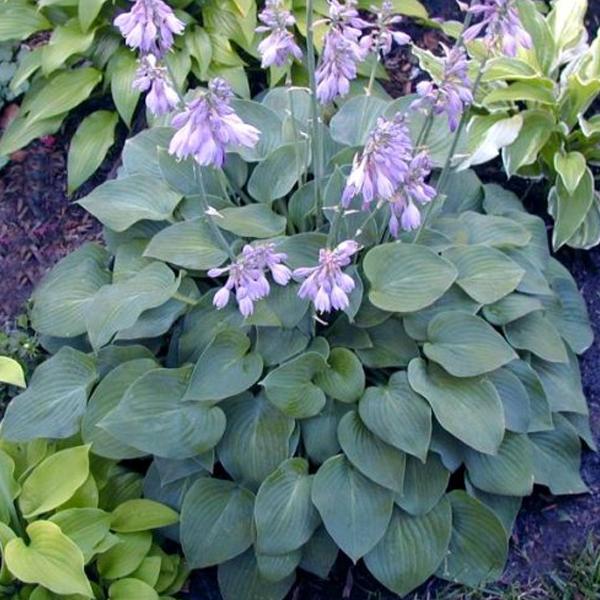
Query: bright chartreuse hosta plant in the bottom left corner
[(73, 525)]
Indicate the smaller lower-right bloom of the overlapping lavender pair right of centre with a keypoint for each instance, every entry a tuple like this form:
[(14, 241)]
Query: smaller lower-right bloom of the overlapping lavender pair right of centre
[(413, 190)]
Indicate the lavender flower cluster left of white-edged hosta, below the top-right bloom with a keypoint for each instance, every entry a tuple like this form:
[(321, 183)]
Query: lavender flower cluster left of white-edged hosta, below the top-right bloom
[(453, 93)]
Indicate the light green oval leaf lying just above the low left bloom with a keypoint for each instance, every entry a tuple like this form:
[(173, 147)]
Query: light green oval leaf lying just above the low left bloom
[(253, 220)]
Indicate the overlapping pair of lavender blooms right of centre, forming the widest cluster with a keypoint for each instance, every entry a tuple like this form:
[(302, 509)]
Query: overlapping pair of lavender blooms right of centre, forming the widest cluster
[(390, 170)]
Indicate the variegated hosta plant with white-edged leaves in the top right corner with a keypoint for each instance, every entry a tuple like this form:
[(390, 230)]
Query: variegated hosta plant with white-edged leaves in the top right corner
[(537, 108)]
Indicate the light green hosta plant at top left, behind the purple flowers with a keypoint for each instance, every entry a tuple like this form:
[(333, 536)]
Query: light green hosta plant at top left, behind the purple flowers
[(86, 58)]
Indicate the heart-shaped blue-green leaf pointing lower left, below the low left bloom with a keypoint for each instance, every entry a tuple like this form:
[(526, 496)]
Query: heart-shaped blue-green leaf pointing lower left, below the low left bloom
[(226, 368)]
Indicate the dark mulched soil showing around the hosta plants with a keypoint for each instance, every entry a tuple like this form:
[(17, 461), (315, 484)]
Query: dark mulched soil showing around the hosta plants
[(39, 225)]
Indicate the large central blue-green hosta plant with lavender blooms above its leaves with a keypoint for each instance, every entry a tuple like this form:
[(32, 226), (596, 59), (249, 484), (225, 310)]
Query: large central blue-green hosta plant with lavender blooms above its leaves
[(311, 363)]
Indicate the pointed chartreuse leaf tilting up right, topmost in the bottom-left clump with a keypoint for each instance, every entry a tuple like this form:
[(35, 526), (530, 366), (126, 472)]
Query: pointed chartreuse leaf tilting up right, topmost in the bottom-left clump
[(46, 487)]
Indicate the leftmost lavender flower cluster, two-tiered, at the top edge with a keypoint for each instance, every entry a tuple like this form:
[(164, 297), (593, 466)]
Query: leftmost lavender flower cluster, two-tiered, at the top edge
[(149, 27)]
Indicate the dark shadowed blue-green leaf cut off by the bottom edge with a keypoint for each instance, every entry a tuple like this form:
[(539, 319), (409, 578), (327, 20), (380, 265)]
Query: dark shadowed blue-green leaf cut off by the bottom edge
[(241, 579)]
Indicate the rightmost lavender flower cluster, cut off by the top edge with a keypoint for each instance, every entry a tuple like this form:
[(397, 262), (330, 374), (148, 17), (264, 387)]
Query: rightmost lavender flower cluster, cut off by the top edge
[(502, 26)]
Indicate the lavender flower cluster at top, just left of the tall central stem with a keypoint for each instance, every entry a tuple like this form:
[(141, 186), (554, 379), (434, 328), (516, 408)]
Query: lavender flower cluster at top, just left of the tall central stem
[(280, 45)]
